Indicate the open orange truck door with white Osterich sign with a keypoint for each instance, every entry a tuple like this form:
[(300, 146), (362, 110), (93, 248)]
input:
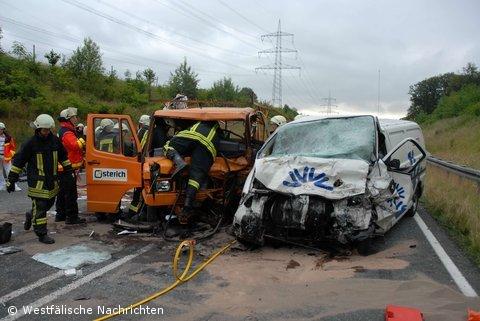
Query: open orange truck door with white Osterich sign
[(113, 162)]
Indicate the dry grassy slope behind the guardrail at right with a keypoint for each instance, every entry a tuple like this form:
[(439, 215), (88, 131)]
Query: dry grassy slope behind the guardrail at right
[(455, 139)]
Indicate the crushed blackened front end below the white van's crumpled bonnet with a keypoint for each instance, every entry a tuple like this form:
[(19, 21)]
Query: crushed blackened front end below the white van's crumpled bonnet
[(303, 217)]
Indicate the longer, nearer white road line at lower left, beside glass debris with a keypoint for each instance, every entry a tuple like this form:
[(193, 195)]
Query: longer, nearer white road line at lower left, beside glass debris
[(74, 285)]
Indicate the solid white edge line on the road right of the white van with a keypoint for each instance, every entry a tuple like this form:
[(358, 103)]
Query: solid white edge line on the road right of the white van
[(452, 269)]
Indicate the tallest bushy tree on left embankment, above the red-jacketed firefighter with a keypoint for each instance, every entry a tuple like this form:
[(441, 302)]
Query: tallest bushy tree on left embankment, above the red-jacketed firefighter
[(86, 61)]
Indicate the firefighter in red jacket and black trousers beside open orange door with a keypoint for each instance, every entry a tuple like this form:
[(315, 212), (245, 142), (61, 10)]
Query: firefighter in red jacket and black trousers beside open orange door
[(66, 204)]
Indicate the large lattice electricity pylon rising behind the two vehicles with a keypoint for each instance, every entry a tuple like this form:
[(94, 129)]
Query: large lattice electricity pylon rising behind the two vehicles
[(278, 65)]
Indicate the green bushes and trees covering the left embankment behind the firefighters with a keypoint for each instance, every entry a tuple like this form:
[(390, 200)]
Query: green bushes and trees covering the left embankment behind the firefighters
[(32, 85)]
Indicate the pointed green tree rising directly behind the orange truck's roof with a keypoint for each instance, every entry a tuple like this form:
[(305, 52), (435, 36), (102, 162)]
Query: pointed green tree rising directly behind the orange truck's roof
[(183, 81)]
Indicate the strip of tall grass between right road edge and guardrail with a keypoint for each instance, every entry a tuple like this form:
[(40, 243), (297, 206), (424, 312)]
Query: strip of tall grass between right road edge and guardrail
[(454, 202)]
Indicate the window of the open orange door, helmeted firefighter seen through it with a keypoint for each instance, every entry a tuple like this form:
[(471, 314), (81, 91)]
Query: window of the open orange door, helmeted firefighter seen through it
[(107, 135)]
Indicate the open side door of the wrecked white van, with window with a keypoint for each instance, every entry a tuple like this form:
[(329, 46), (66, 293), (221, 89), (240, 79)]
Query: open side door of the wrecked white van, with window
[(403, 164)]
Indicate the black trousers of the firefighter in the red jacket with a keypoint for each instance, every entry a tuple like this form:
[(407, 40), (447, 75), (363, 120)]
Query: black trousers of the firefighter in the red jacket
[(66, 205)]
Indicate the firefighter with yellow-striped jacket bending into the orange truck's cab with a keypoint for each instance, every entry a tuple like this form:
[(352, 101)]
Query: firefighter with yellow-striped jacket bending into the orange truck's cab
[(200, 142)]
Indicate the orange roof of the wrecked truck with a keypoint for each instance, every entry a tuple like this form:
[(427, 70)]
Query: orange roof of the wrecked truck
[(206, 114)]
